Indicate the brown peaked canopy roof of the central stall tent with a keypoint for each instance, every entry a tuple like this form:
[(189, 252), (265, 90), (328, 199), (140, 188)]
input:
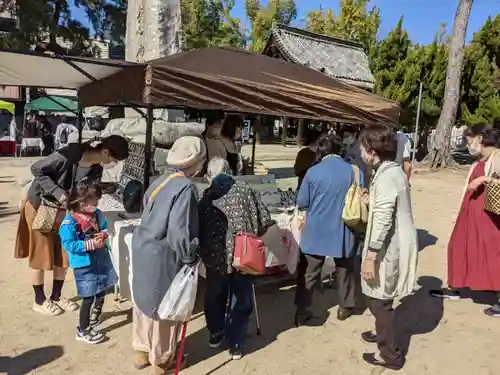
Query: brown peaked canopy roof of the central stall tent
[(239, 81)]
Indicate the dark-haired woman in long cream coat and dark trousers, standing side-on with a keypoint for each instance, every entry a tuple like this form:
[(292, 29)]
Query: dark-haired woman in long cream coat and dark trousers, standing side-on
[(391, 248)]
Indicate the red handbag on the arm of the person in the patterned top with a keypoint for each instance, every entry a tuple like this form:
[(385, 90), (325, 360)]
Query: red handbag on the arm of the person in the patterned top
[(249, 254)]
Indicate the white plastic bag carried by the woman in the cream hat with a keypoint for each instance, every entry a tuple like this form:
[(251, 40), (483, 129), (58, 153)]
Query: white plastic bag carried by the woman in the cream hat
[(178, 302)]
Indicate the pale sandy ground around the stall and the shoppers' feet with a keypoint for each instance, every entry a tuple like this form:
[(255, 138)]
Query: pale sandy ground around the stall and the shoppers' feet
[(445, 339)]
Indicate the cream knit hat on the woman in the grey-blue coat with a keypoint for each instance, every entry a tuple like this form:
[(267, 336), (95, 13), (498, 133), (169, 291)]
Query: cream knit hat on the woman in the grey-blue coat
[(186, 152)]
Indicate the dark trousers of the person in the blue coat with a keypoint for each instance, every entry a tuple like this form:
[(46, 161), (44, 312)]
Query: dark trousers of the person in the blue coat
[(309, 279)]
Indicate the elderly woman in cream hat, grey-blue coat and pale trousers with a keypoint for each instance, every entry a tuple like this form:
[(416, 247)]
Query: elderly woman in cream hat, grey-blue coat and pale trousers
[(165, 241)]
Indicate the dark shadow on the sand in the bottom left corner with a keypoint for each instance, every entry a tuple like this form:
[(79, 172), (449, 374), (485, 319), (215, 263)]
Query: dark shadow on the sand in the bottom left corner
[(27, 362)]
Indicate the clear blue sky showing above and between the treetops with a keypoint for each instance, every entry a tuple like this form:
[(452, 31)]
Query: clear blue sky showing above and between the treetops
[(422, 18)]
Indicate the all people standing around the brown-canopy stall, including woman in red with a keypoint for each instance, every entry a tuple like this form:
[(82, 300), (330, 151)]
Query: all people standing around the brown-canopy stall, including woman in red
[(178, 227)]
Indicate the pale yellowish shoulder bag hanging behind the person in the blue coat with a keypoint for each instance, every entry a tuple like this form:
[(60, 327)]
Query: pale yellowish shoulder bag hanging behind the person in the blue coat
[(355, 212)]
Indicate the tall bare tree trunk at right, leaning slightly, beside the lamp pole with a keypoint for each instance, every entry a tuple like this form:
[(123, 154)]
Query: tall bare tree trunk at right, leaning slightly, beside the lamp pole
[(441, 152)]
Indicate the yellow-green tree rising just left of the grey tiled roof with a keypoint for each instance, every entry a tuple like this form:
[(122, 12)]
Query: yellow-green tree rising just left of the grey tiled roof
[(262, 19)]
